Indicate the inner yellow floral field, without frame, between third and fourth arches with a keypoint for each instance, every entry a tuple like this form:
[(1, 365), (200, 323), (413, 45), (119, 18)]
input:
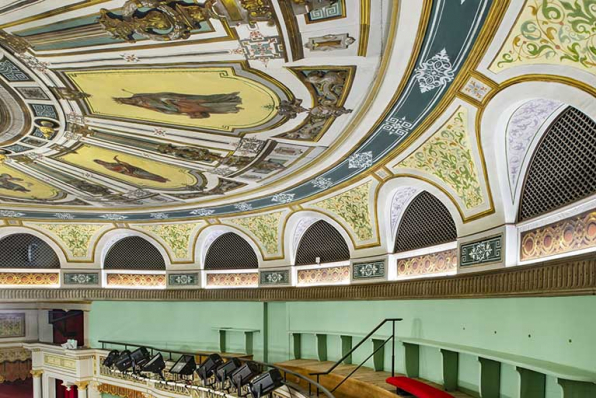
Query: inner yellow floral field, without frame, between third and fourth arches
[(264, 227)]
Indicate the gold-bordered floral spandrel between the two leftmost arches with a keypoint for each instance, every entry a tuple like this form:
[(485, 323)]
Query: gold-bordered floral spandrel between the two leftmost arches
[(78, 241)]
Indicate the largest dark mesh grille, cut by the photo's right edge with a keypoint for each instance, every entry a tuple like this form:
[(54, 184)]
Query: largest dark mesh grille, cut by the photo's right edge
[(563, 168)]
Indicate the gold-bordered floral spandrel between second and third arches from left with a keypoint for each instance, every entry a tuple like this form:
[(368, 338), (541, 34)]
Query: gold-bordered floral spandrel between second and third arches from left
[(177, 238)]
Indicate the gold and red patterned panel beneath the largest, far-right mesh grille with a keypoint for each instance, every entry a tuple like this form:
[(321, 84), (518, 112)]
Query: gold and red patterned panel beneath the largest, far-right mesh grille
[(565, 236)]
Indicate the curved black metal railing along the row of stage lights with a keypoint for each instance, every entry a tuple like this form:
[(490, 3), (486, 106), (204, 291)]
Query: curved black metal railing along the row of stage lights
[(171, 354)]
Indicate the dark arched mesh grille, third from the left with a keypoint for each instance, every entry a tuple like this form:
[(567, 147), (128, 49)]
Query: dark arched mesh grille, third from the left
[(230, 251)]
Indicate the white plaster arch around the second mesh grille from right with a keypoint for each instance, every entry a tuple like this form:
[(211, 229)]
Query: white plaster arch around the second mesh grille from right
[(398, 185)]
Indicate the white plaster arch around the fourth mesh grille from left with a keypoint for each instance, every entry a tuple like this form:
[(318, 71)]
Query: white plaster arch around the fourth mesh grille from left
[(299, 222)]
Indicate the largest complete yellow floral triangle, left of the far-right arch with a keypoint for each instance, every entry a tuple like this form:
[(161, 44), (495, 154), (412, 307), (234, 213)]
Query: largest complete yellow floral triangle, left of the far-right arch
[(448, 156)]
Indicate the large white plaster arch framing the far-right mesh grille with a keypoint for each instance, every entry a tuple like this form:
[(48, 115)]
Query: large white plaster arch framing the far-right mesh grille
[(494, 123)]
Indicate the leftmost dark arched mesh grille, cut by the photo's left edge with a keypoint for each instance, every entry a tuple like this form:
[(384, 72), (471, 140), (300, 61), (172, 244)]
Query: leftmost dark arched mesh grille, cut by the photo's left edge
[(26, 251)]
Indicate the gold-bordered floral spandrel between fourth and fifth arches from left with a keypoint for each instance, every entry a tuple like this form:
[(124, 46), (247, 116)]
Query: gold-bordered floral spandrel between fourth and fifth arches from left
[(355, 210)]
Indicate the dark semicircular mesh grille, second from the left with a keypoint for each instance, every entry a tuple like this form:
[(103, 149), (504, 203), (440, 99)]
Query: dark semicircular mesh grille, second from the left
[(134, 253)]
